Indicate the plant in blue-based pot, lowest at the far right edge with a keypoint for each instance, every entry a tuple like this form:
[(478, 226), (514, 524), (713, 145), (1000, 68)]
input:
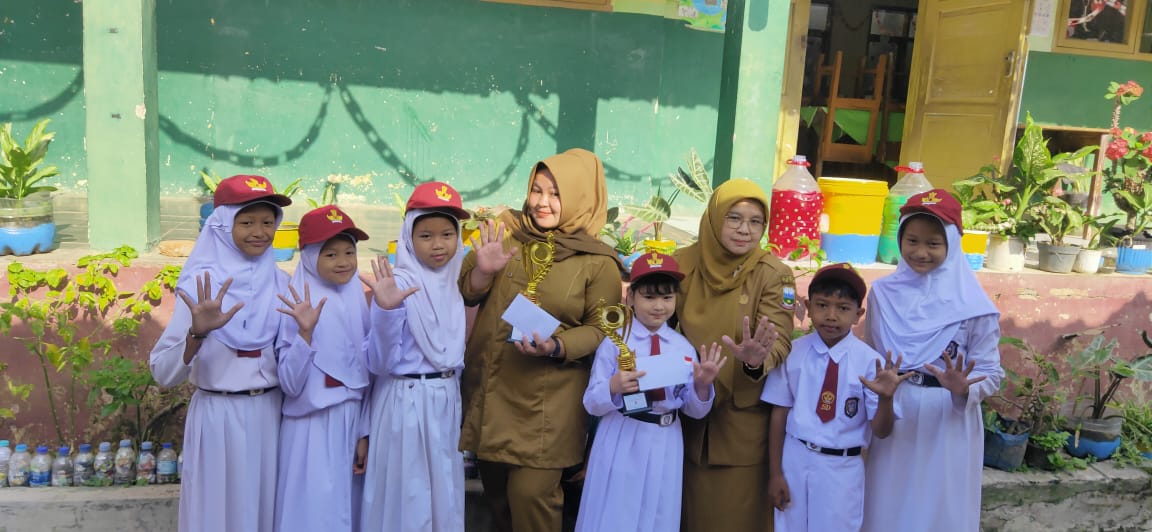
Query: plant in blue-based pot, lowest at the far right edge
[(1098, 366)]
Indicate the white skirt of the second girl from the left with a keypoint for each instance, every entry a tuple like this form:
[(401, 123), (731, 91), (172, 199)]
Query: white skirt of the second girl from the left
[(315, 489)]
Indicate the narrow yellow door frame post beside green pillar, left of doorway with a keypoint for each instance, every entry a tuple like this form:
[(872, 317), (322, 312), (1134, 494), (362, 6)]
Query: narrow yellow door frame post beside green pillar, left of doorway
[(793, 83)]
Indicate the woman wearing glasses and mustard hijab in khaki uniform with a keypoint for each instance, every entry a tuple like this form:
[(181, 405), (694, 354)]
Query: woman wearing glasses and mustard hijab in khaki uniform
[(732, 287)]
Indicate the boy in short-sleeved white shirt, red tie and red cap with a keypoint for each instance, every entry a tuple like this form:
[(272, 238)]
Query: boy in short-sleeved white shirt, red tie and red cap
[(830, 397)]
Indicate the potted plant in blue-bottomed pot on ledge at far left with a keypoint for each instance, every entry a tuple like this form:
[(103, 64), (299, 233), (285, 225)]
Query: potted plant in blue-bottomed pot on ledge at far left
[(27, 222)]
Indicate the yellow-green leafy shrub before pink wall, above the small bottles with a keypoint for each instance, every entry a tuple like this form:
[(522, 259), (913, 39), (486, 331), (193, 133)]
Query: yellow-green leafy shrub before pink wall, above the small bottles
[(67, 321)]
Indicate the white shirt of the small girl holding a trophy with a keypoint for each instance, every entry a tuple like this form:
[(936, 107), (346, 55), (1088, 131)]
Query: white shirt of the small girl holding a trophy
[(600, 401)]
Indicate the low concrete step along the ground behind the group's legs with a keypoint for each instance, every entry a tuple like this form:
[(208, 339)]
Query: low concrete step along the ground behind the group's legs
[(1101, 498)]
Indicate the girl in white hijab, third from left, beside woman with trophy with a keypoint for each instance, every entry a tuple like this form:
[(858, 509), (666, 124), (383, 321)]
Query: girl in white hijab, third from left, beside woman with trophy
[(415, 478)]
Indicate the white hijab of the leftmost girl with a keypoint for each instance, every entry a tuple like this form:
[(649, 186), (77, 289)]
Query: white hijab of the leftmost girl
[(255, 280)]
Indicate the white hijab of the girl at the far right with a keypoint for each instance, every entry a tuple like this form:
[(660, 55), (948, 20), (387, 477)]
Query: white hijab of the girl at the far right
[(918, 315)]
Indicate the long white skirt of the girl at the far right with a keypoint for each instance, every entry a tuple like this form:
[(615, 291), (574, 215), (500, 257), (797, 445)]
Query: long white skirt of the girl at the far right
[(927, 475)]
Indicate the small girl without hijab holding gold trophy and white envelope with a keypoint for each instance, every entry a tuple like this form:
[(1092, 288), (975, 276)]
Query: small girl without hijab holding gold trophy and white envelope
[(635, 468)]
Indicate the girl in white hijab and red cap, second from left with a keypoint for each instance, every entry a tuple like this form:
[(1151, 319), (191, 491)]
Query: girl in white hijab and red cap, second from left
[(323, 375)]
